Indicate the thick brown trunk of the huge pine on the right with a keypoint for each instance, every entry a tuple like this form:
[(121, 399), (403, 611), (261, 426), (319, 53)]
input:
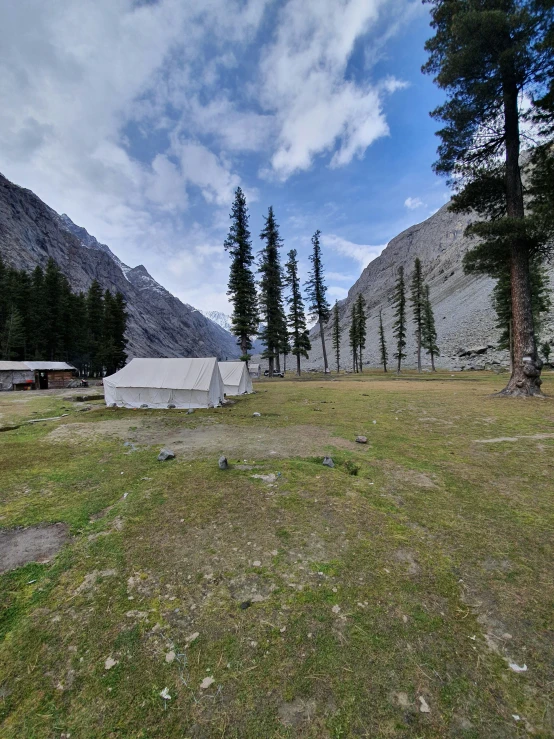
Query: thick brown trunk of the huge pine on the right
[(526, 368)]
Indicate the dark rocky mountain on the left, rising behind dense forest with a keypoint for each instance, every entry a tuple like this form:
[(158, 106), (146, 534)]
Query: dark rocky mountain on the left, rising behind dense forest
[(159, 324)]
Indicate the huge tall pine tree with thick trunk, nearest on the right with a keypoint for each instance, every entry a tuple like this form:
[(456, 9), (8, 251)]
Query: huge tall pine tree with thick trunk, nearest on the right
[(488, 56)]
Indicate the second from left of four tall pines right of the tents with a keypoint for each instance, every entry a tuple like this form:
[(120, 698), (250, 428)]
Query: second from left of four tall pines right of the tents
[(271, 292)]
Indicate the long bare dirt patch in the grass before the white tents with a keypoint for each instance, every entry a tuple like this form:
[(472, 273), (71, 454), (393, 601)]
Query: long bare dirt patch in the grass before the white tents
[(207, 440)]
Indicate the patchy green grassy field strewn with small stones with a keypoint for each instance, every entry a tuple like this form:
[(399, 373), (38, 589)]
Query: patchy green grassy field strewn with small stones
[(386, 597)]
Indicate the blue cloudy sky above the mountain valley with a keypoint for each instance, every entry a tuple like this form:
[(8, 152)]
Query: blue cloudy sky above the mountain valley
[(138, 118)]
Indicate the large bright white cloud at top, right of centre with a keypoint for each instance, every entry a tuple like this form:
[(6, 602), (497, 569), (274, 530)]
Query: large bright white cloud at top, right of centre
[(304, 83)]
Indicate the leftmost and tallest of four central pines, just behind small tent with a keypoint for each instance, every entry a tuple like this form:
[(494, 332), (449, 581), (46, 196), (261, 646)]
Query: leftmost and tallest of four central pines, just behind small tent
[(242, 285)]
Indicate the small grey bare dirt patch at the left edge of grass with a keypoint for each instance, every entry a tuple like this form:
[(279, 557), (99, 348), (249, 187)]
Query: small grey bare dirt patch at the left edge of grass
[(18, 547)]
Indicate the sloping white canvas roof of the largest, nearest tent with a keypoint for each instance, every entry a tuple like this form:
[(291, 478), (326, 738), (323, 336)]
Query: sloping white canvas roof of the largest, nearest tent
[(181, 373)]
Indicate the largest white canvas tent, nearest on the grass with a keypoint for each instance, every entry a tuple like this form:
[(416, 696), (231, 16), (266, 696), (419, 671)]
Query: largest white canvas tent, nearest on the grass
[(159, 383)]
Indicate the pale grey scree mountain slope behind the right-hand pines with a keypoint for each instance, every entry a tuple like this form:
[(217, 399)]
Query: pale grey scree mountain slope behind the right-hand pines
[(464, 316)]
